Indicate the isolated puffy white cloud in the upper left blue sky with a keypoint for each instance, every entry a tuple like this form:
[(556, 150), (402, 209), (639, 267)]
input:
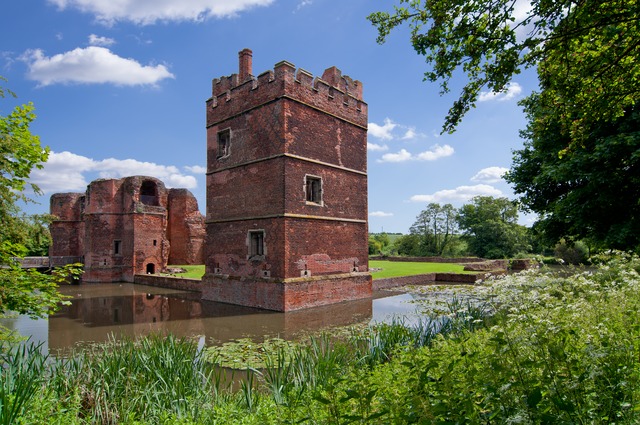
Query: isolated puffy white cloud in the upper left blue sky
[(91, 65)]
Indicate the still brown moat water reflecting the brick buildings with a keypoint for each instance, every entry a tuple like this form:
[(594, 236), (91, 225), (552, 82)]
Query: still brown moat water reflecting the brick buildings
[(102, 311)]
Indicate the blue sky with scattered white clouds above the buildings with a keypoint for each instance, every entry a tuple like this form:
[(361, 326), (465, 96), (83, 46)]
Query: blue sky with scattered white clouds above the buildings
[(119, 89)]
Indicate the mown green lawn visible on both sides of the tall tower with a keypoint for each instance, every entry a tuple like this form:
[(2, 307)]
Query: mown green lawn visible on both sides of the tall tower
[(389, 269)]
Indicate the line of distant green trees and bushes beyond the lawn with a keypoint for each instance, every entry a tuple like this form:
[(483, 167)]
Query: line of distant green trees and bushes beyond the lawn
[(486, 227)]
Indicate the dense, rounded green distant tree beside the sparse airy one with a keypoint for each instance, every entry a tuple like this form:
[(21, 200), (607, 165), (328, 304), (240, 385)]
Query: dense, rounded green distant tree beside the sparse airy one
[(491, 227)]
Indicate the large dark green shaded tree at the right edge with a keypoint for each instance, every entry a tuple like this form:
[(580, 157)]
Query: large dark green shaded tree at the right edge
[(590, 192)]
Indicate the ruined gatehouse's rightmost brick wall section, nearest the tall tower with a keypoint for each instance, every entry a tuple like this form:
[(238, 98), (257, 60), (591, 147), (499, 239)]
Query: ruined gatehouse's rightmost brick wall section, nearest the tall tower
[(186, 230)]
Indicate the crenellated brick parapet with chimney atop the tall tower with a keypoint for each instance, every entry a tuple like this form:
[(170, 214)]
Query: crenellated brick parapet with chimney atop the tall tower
[(333, 92)]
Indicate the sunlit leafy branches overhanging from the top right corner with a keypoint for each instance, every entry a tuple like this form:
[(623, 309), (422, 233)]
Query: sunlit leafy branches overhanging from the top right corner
[(593, 44)]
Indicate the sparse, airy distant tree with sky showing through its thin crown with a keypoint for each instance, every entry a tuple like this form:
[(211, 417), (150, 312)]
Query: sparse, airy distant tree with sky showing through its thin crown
[(436, 226)]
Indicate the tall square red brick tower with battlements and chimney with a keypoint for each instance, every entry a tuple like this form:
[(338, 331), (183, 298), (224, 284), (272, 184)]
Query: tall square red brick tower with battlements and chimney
[(286, 189)]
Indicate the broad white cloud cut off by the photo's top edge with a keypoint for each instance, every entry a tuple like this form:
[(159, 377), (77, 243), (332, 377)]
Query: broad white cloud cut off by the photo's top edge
[(146, 12)]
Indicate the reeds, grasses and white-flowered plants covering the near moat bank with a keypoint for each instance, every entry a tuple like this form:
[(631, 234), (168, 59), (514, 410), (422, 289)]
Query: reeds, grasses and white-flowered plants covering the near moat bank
[(554, 349)]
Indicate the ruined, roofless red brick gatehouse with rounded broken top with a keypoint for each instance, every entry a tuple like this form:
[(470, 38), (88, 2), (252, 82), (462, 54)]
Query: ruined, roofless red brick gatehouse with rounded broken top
[(123, 227)]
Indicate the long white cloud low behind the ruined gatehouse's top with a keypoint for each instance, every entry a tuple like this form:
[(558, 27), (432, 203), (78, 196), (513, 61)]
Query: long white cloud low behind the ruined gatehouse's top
[(68, 172)]
